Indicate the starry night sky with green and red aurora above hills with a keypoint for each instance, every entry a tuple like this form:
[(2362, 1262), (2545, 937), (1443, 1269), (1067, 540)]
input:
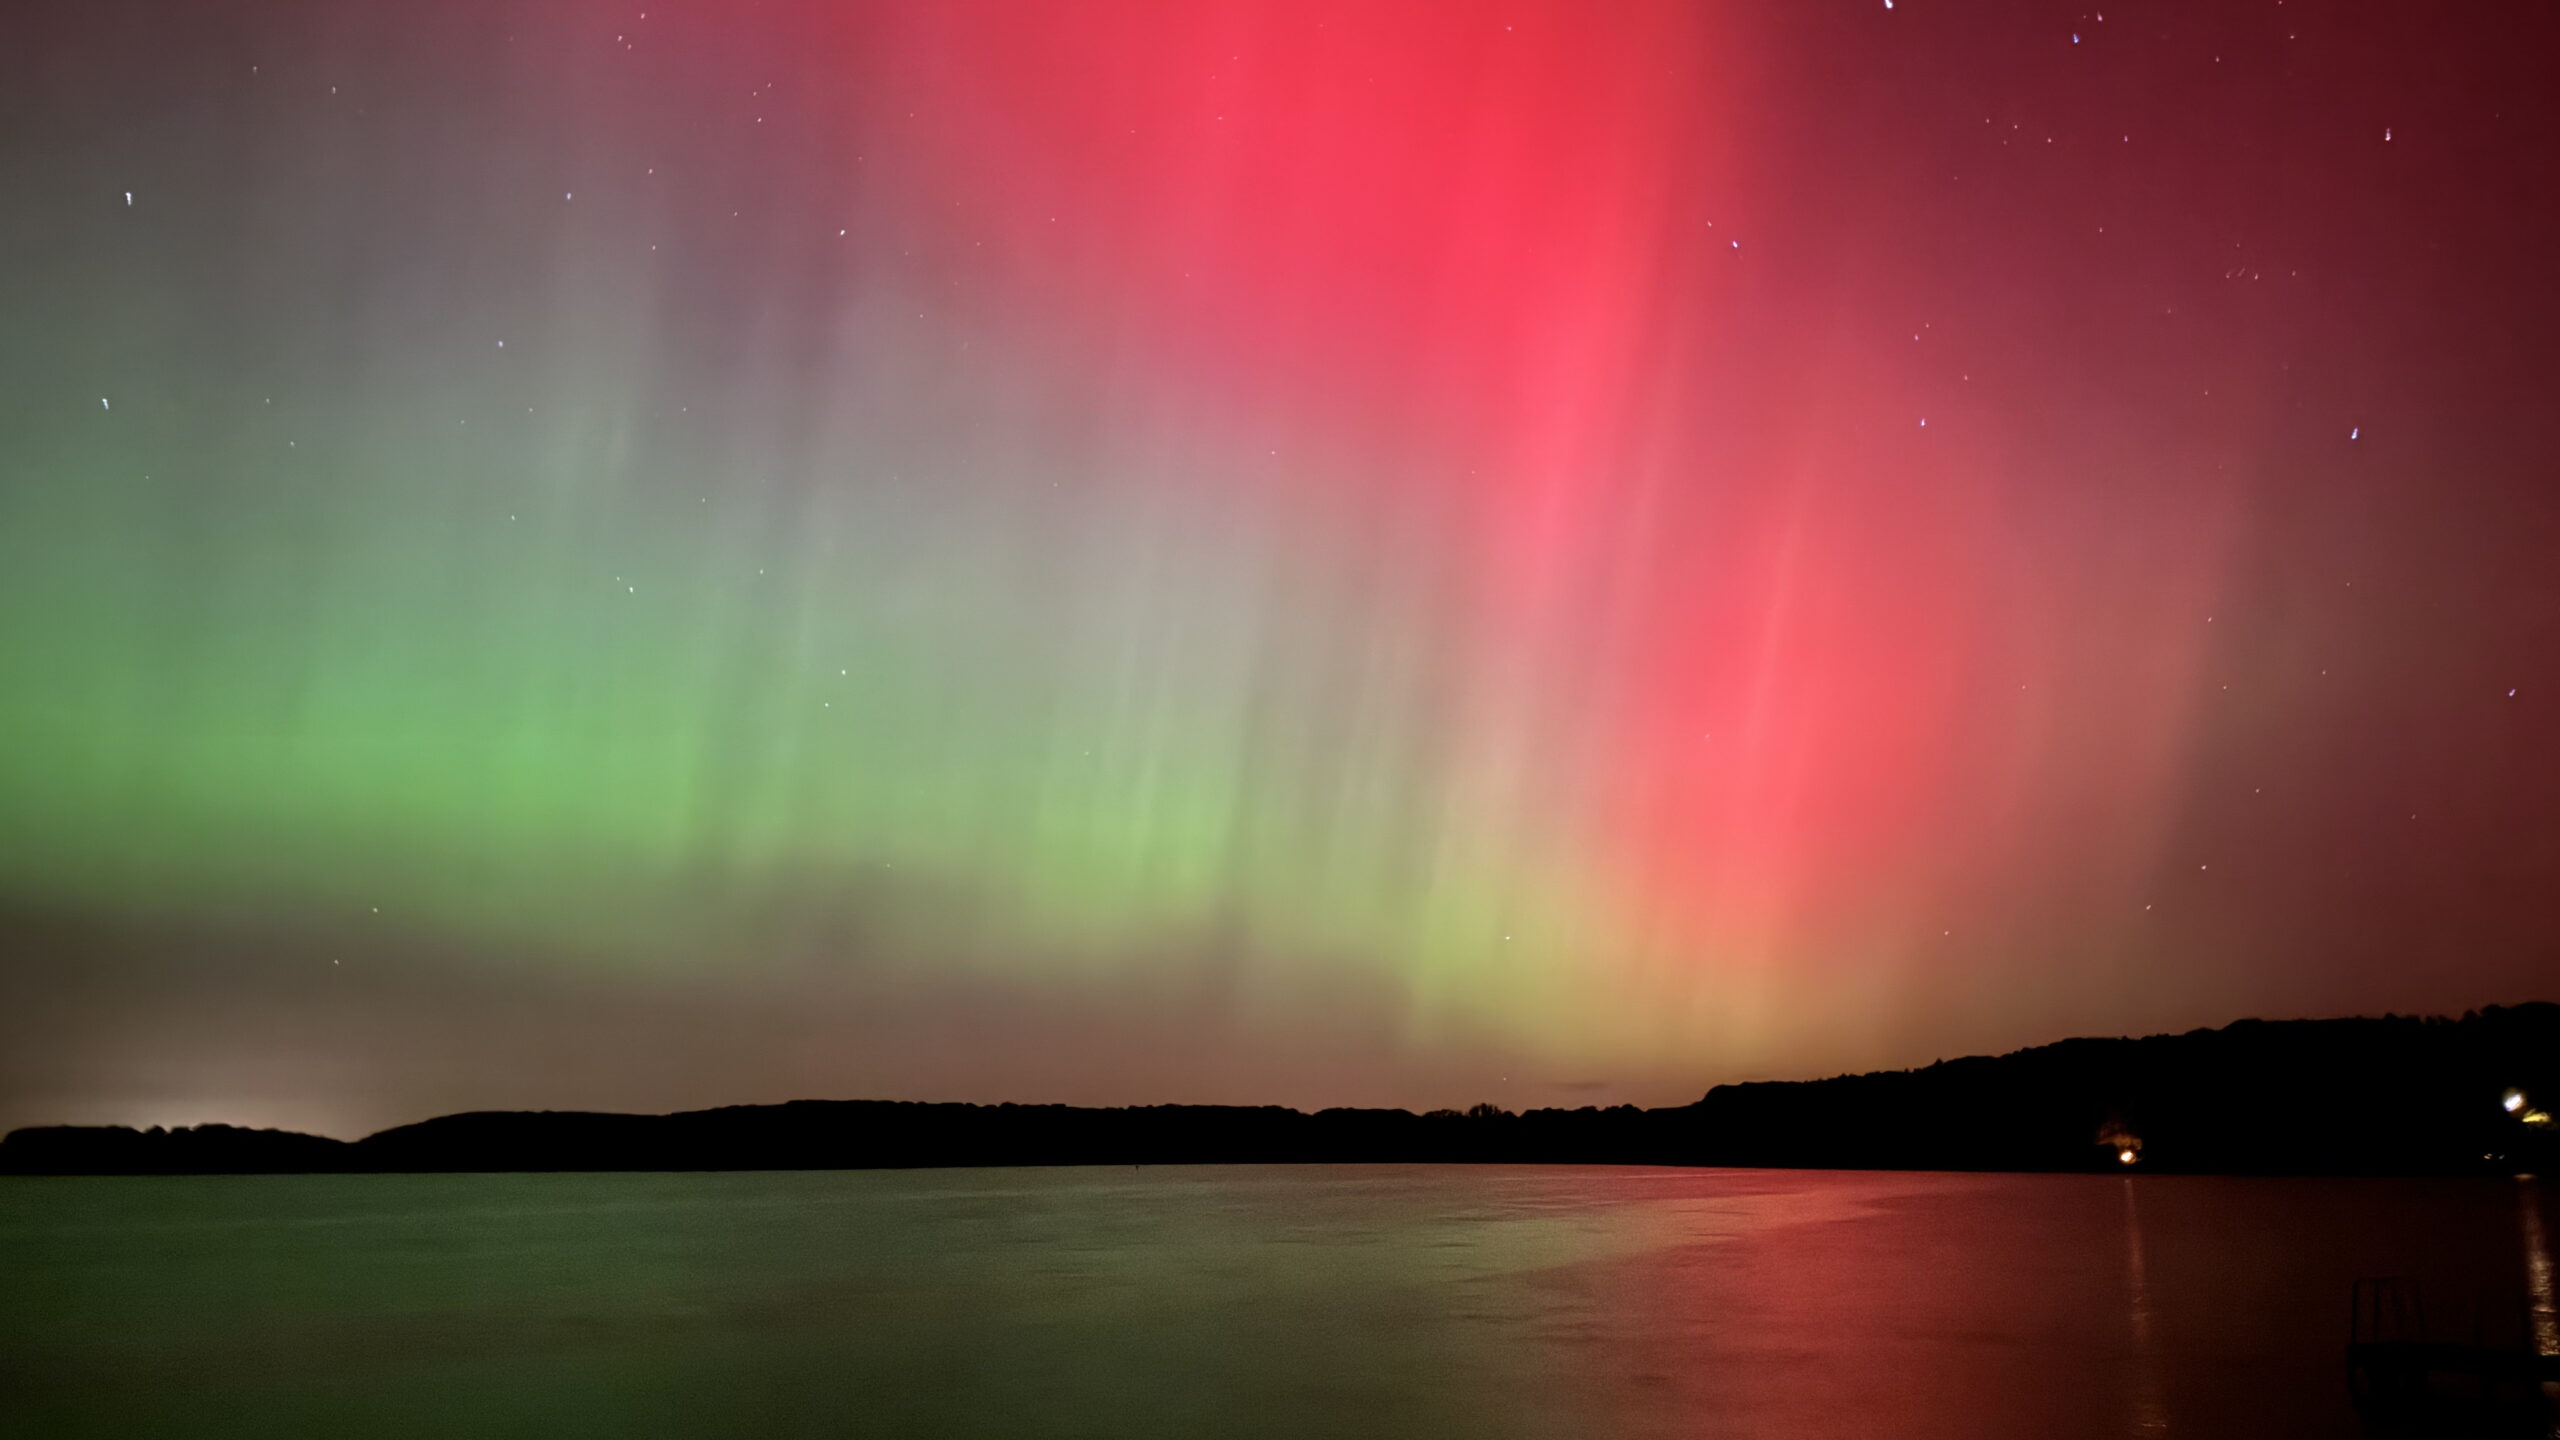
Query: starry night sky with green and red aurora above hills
[(667, 555)]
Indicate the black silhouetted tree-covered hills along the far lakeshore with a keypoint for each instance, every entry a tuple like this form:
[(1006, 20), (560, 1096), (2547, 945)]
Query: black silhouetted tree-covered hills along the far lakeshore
[(2395, 1095)]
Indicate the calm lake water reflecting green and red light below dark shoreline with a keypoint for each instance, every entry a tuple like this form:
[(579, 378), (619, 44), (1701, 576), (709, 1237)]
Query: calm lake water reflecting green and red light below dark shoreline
[(1371, 1300)]
